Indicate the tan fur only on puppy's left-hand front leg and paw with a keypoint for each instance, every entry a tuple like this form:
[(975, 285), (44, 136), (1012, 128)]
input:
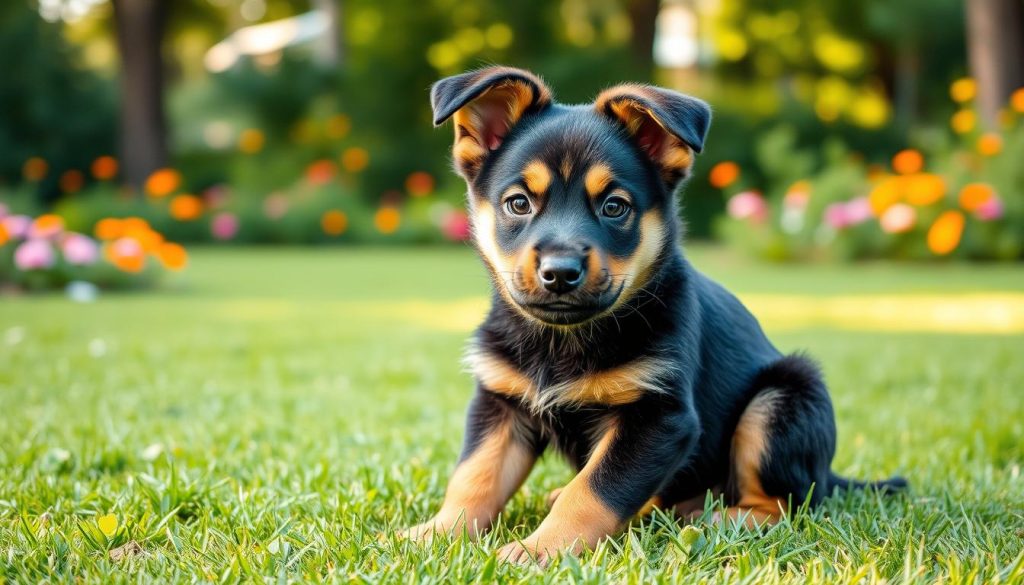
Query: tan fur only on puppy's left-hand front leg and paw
[(481, 486)]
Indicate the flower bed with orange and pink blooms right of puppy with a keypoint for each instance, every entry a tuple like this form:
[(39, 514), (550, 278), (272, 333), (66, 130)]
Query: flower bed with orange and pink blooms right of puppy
[(960, 197)]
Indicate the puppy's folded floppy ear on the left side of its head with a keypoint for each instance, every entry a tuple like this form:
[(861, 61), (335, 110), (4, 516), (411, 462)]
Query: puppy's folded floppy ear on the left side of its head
[(486, 104)]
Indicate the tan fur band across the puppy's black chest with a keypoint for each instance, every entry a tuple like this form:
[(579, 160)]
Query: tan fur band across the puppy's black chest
[(621, 386)]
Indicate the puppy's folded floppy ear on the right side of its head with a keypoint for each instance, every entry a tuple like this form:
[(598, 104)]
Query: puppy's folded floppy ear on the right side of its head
[(668, 127)]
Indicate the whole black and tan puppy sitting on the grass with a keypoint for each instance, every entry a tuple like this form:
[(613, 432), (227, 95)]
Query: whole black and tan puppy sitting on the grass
[(603, 341)]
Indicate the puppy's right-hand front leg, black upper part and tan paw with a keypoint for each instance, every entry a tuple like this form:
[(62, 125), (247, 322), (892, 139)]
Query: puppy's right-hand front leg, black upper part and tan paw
[(642, 448)]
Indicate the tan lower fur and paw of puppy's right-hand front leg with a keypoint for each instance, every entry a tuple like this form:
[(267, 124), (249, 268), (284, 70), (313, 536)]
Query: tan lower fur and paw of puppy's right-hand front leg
[(578, 519)]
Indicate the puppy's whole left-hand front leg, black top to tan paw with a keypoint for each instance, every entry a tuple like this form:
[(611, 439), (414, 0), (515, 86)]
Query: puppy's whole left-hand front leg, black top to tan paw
[(499, 452)]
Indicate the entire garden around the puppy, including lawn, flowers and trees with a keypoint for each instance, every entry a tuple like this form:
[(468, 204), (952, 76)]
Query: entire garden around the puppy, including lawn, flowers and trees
[(235, 277)]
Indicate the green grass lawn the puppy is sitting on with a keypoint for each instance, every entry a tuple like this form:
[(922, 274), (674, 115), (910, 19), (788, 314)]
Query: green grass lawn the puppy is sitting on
[(272, 412)]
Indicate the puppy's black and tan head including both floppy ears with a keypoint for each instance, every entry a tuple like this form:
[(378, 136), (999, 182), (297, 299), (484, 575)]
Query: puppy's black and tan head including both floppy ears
[(573, 206)]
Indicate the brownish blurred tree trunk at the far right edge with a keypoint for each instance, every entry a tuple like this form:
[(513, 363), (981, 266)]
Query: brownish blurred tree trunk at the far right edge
[(996, 49)]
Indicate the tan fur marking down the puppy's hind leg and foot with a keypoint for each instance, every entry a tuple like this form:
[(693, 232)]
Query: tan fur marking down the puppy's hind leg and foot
[(750, 443)]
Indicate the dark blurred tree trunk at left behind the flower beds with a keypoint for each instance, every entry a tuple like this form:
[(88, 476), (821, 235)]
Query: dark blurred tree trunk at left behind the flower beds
[(141, 26)]
